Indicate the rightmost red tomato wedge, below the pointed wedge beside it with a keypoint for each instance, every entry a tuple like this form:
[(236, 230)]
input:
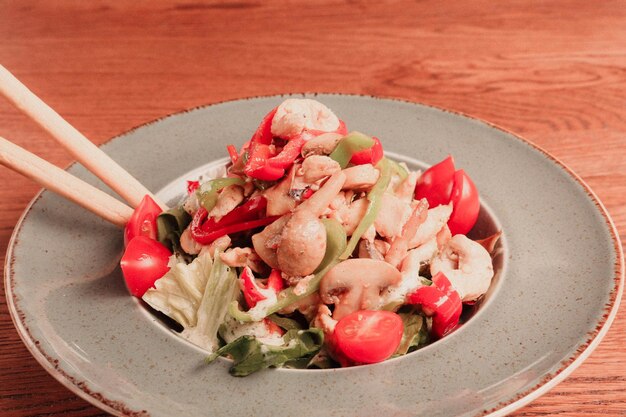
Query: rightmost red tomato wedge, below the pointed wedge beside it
[(465, 204)]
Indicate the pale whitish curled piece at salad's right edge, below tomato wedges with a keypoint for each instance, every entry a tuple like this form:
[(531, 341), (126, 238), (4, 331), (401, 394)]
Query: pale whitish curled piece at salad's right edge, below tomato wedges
[(466, 264)]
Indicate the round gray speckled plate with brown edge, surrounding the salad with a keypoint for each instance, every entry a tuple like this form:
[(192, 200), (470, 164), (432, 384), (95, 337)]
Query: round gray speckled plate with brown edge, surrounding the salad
[(559, 282)]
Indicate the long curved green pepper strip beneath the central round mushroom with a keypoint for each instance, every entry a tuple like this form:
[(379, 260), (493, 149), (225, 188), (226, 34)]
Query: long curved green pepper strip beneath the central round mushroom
[(335, 245)]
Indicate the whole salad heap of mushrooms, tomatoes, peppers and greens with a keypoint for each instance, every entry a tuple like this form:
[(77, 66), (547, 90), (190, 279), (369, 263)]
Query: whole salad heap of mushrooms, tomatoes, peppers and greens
[(312, 250)]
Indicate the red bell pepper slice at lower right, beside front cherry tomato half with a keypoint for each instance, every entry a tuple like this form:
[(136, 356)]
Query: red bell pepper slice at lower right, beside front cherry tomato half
[(442, 302)]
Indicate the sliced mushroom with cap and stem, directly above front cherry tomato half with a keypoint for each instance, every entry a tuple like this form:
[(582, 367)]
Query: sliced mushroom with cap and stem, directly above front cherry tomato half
[(357, 284)]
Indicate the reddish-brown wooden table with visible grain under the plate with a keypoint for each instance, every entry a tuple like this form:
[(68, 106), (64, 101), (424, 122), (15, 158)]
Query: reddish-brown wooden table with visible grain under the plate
[(554, 72)]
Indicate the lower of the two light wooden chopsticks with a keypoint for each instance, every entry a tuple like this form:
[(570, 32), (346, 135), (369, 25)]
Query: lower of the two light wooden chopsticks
[(63, 183)]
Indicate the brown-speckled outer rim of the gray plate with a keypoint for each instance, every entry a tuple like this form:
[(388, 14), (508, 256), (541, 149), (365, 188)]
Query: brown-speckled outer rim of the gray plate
[(549, 381)]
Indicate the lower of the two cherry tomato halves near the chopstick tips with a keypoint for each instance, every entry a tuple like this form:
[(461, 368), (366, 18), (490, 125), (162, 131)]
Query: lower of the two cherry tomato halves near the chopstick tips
[(144, 261)]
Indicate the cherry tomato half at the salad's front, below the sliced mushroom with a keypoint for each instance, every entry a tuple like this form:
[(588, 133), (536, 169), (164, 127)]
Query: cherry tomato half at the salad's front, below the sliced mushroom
[(368, 336)]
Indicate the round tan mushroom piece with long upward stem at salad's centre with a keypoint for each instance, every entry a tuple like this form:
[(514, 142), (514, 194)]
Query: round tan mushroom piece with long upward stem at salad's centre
[(303, 240)]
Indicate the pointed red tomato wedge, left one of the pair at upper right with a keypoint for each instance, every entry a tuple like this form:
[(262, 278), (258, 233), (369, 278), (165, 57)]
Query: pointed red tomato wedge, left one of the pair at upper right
[(435, 184)]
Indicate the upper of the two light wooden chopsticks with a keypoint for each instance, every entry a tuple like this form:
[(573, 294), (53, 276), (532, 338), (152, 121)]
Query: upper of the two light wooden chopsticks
[(92, 157)]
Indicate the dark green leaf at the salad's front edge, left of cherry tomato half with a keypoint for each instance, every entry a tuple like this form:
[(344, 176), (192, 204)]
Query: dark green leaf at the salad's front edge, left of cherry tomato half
[(251, 355)]
